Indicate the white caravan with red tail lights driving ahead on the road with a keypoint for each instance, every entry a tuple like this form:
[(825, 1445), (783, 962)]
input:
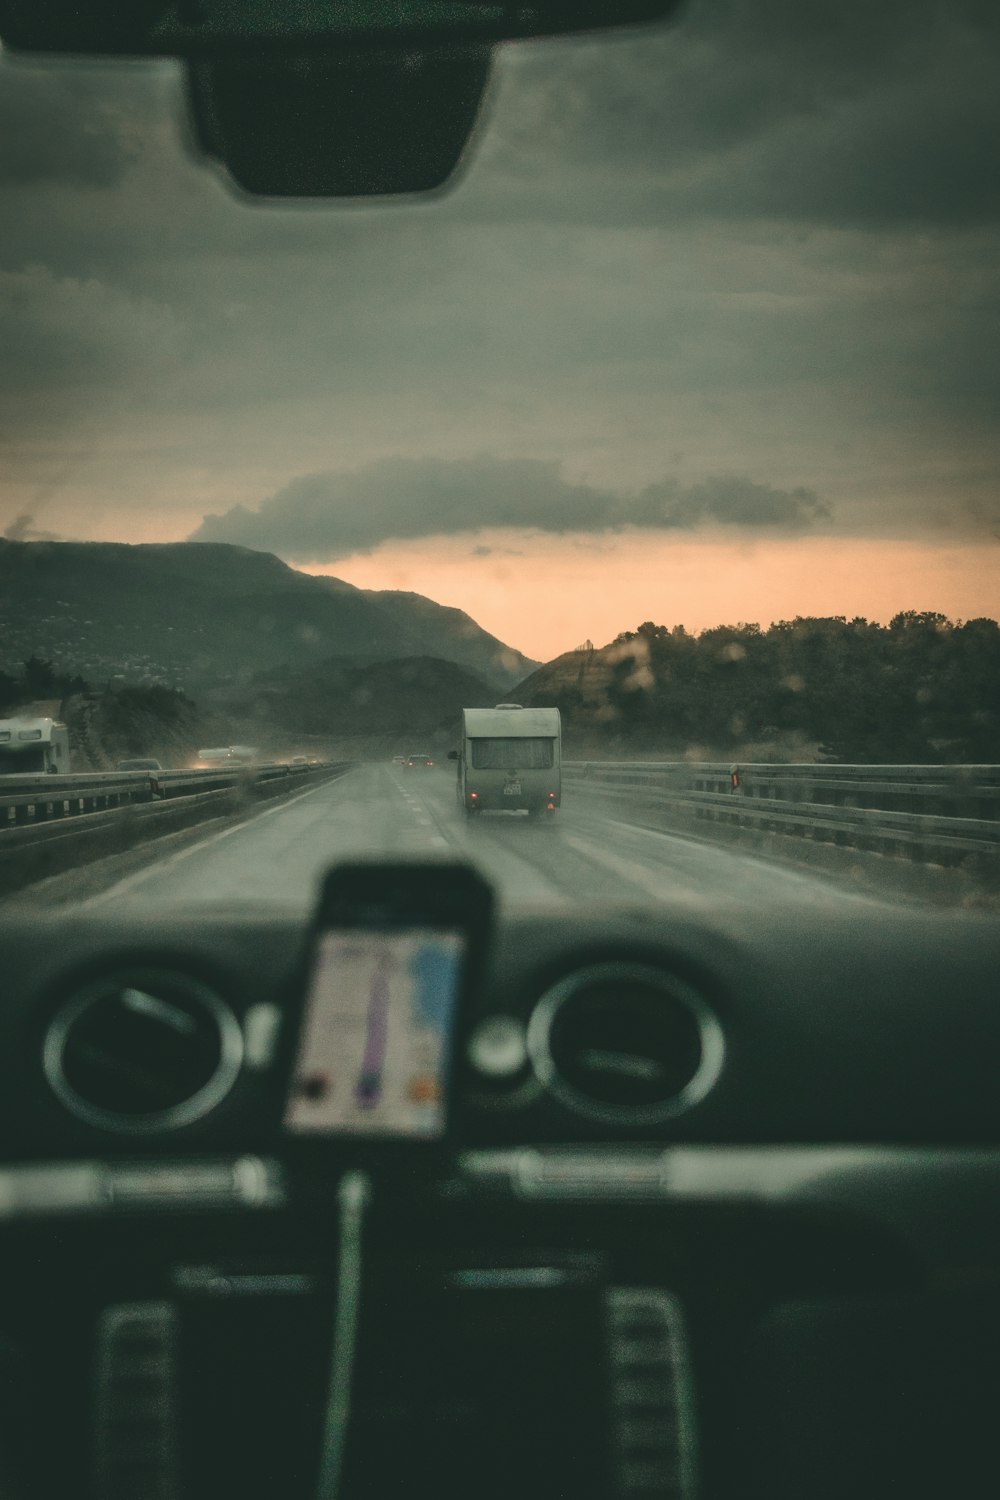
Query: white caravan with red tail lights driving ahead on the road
[(510, 760)]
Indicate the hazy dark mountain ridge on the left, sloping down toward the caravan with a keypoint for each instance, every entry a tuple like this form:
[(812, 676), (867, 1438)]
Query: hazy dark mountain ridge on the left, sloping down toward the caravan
[(199, 616)]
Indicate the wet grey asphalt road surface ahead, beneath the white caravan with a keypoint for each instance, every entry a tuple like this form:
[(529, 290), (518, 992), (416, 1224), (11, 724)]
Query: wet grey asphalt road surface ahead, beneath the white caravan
[(585, 853)]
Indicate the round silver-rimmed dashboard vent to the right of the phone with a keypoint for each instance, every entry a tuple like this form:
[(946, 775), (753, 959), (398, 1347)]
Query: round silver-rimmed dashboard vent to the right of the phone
[(626, 1043)]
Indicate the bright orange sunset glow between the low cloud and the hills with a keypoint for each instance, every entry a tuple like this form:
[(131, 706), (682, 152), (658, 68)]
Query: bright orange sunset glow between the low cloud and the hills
[(549, 598)]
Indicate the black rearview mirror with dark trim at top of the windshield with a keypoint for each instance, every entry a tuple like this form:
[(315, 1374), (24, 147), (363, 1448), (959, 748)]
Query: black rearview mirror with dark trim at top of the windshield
[(320, 98)]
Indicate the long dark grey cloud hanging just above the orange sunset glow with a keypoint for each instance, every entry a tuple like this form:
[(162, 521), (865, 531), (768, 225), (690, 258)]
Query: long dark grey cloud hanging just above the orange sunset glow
[(323, 517)]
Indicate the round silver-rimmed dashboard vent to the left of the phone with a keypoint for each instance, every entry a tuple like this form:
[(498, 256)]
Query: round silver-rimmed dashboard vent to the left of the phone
[(143, 1051)]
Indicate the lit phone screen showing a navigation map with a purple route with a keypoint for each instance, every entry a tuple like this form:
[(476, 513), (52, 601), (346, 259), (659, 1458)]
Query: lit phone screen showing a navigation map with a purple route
[(377, 1036)]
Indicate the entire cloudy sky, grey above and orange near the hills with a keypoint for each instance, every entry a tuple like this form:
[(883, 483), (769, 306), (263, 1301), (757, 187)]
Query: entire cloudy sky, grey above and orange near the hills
[(707, 331)]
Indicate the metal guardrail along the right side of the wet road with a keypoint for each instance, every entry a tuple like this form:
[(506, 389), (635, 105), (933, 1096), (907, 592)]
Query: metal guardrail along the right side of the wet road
[(926, 812)]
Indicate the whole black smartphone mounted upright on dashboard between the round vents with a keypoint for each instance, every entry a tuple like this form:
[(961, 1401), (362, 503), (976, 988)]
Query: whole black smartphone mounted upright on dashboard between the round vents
[(395, 956)]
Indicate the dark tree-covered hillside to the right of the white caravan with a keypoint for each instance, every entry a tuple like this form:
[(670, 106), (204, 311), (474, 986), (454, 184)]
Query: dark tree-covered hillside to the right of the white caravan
[(923, 689)]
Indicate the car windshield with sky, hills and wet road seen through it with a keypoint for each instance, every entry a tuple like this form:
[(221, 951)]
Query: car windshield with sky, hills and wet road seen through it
[(675, 413)]
